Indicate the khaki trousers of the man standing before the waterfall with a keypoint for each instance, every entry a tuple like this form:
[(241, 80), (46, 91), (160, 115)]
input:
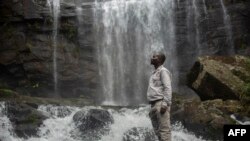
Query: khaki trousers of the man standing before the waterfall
[(160, 122)]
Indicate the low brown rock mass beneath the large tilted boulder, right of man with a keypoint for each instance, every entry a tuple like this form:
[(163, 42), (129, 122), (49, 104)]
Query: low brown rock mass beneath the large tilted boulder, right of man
[(207, 118)]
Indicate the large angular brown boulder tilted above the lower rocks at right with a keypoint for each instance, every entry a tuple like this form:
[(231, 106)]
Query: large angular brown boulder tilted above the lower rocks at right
[(221, 77)]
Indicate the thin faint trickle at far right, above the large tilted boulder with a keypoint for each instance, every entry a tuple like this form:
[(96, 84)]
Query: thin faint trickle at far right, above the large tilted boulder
[(227, 23)]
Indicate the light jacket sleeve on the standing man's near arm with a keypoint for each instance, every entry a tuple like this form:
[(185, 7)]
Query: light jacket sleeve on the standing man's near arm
[(167, 88)]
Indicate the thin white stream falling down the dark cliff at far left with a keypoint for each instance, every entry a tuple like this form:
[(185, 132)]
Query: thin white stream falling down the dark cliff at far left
[(54, 6)]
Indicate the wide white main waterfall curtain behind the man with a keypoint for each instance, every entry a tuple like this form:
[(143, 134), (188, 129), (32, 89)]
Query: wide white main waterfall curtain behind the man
[(127, 33)]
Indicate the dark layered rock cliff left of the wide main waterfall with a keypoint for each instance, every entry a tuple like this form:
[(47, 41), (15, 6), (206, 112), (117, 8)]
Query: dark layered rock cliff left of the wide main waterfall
[(26, 52)]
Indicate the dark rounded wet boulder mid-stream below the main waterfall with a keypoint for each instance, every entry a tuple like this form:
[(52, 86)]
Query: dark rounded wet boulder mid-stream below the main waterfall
[(94, 123)]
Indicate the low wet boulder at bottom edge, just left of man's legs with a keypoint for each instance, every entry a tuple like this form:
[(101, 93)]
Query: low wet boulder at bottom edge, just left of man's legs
[(139, 134)]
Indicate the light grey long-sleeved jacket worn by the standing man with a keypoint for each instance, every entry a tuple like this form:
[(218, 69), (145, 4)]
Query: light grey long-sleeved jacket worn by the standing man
[(160, 86)]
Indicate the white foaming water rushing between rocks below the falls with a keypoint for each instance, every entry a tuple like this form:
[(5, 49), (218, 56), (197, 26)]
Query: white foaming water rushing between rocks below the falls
[(60, 126)]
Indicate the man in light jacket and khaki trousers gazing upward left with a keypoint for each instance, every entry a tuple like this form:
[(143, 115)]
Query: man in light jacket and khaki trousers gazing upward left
[(159, 95)]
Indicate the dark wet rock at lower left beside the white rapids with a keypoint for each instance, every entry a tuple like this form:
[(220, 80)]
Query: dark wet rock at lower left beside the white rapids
[(25, 119)]
